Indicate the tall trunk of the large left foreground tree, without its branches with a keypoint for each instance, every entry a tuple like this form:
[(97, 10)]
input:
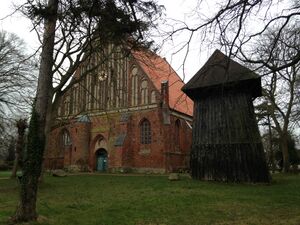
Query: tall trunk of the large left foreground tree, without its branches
[(26, 210)]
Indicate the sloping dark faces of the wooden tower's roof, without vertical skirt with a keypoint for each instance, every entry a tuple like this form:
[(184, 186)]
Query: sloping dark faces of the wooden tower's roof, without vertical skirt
[(219, 70)]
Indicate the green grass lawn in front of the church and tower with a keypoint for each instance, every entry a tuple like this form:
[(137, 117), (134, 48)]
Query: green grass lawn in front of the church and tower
[(153, 200)]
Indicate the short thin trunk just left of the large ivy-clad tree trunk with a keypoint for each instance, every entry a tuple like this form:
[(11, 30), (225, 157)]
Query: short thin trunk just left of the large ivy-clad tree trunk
[(21, 125)]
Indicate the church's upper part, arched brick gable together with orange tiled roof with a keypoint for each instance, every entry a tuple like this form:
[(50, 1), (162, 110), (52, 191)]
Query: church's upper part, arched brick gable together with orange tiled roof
[(112, 80)]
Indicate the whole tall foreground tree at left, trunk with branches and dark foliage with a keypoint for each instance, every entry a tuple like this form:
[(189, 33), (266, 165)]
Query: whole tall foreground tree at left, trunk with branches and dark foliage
[(71, 31)]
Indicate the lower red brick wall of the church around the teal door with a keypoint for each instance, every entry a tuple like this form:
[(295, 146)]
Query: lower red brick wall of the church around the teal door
[(162, 153)]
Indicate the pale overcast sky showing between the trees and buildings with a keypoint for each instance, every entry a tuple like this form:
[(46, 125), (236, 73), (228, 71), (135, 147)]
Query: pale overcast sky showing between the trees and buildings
[(176, 10)]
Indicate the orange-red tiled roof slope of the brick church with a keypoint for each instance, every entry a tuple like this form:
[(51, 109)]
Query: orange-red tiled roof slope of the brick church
[(159, 70)]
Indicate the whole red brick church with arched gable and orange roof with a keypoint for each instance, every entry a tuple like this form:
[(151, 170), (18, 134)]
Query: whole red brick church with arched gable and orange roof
[(128, 115)]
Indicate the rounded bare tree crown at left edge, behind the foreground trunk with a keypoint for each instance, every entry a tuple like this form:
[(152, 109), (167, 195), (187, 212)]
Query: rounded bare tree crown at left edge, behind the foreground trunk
[(17, 80)]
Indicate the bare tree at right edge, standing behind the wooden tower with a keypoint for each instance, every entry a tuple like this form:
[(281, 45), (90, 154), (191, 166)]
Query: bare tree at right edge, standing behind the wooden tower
[(280, 87)]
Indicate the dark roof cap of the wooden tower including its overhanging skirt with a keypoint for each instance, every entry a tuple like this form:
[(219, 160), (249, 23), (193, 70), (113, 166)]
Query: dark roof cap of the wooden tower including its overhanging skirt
[(220, 70)]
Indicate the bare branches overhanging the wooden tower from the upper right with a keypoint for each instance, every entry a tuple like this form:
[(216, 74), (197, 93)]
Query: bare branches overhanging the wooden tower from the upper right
[(236, 26)]
